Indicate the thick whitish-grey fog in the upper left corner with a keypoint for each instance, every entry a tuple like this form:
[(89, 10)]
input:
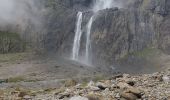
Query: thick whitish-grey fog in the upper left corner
[(20, 13)]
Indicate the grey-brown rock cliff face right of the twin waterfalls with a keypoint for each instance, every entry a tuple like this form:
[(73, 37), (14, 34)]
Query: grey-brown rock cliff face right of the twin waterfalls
[(120, 32)]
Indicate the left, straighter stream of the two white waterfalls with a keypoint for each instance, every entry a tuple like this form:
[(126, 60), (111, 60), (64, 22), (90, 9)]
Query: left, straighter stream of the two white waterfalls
[(77, 38)]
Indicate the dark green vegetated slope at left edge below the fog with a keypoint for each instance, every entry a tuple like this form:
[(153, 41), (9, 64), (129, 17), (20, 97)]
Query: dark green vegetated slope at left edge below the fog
[(11, 43)]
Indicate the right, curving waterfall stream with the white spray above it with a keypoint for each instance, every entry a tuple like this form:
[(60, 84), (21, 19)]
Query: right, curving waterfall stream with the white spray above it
[(98, 5)]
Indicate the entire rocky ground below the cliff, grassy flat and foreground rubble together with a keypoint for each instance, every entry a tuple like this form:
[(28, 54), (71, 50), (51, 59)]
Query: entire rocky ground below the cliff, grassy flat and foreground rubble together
[(31, 79)]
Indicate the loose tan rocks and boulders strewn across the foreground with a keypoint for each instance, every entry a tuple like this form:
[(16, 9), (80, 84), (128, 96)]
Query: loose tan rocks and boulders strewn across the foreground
[(154, 86)]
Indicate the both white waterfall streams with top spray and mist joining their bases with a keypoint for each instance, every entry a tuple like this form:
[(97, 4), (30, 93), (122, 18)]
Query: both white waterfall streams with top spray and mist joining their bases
[(97, 6)]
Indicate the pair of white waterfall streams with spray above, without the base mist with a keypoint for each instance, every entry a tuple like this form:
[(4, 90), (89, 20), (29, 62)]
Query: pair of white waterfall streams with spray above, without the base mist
[(98, 5)]
